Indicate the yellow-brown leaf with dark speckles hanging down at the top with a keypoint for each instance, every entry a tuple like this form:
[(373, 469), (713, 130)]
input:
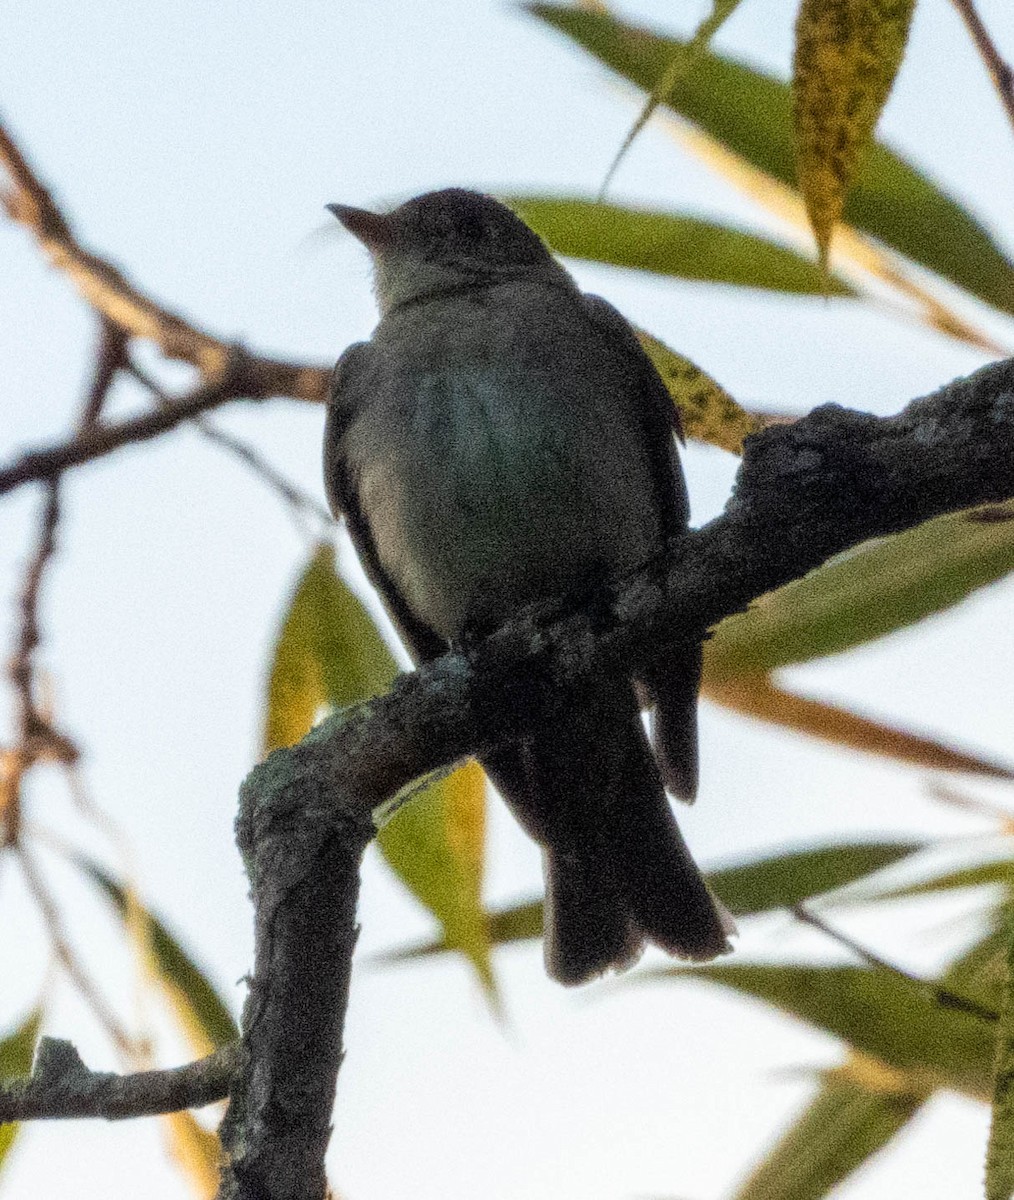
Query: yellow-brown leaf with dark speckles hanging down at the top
[(848, 53)]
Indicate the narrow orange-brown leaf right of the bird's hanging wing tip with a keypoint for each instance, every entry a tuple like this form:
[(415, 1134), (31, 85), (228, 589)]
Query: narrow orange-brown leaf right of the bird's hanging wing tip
[(759, 698)]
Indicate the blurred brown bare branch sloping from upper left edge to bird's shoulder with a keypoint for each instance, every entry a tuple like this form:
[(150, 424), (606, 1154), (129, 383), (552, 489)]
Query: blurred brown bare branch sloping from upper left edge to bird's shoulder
[(111, 293)]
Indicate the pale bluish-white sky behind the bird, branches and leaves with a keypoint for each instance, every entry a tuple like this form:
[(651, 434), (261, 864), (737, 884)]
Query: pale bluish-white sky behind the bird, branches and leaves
[(196, 146)]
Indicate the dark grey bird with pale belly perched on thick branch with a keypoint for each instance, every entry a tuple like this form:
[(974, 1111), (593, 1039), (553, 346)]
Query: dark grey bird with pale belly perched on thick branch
[(503, 439)]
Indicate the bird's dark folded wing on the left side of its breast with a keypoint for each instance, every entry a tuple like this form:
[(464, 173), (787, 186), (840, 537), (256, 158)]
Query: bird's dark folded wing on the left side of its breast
[(349, 392)]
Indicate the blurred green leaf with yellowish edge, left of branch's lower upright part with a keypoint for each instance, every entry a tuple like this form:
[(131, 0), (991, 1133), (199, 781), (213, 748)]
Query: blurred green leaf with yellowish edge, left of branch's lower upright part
[(202, 1013)]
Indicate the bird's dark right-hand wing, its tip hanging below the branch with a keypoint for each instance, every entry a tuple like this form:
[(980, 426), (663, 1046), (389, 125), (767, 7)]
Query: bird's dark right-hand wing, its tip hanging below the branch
[(674, 680)]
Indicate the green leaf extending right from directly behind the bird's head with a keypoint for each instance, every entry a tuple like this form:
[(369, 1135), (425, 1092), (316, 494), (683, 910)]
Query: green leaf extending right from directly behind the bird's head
[(673, 245)]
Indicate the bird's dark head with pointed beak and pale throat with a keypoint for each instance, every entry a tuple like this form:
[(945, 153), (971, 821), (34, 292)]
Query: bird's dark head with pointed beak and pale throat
[(443, 241)]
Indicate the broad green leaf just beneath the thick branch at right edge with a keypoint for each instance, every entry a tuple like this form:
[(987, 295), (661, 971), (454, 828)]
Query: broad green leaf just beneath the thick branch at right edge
[(872, 590)]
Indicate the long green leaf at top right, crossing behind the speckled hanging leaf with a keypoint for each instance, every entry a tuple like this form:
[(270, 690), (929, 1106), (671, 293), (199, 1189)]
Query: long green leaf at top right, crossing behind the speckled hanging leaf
[(752, 115)]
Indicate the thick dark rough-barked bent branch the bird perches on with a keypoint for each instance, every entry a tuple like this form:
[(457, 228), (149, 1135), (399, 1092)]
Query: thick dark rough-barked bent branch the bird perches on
[(805, 494)]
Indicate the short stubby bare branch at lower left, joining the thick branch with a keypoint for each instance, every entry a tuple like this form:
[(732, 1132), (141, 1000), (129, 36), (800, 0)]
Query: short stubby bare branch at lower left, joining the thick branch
[(62, 1087)]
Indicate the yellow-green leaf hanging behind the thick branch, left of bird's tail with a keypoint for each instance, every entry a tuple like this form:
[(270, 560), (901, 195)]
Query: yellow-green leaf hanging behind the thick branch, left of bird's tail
[(331, 655)]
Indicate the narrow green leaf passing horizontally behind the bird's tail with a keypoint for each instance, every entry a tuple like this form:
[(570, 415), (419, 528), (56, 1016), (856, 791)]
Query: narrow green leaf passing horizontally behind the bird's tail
[(776, 881)]
